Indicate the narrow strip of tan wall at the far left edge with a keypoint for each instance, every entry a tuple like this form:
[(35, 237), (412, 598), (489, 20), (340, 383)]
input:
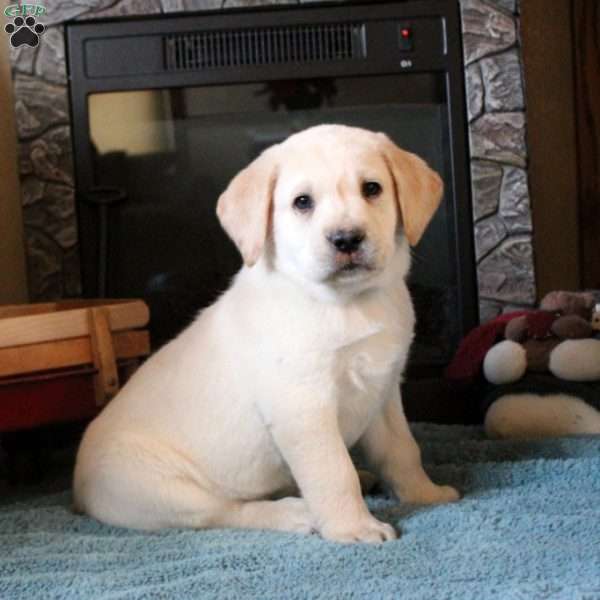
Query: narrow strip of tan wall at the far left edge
[(13, 281)]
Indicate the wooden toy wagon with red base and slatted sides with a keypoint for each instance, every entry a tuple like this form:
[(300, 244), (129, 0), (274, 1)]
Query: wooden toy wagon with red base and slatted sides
[(63, 361)]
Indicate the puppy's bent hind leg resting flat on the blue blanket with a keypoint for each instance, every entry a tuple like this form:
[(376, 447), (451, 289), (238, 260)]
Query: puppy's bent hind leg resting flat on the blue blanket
[(144, 487)]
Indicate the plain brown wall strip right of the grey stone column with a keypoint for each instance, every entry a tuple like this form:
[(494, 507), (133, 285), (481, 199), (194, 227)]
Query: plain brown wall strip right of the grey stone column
[(551, 137)]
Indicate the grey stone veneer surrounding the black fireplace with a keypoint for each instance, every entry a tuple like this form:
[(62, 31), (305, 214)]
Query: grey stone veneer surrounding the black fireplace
[(502, 219)]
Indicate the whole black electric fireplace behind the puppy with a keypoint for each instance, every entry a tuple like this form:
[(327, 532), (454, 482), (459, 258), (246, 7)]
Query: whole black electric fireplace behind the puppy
[(165, 110)]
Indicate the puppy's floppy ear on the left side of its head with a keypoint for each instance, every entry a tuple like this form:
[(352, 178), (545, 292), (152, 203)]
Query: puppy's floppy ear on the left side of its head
[(244, 207)]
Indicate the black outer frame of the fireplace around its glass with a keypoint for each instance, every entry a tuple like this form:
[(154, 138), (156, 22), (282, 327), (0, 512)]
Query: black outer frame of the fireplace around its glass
[(79, 34)]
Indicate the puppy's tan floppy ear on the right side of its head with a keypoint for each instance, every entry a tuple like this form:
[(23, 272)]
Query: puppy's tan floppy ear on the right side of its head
[(418, 190)]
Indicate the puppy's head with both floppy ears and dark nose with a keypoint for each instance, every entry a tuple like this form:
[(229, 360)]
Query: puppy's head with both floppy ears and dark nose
[(336, 202)]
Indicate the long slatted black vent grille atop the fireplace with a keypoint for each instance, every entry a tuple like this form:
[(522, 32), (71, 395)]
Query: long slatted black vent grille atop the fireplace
[(266, 46)]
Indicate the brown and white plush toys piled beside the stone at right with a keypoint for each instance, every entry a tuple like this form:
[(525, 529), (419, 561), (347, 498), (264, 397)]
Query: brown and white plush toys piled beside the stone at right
[(543, 377)]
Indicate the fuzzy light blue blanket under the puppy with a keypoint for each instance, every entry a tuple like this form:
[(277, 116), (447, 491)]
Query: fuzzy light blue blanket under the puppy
[(527, 528)]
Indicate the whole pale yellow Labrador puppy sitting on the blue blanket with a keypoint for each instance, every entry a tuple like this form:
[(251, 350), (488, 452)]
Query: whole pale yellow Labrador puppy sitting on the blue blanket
[(300, 359)]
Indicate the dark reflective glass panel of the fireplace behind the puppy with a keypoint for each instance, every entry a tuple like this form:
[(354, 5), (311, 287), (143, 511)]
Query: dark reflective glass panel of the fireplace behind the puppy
[(173, 151)]
